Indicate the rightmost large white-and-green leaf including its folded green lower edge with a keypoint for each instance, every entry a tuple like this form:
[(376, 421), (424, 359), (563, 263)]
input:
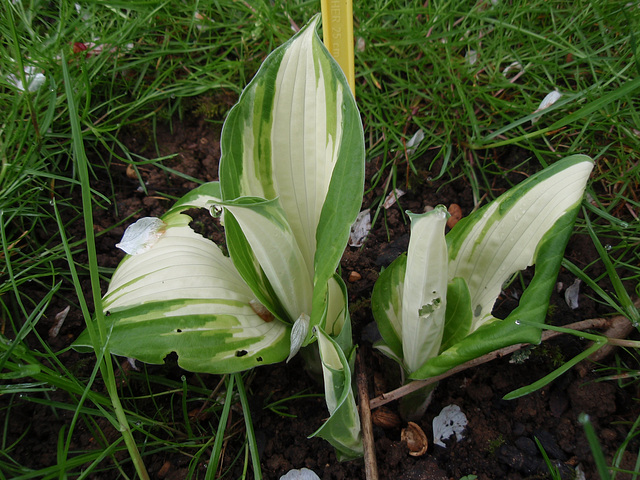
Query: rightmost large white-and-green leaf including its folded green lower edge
[(553, 195)]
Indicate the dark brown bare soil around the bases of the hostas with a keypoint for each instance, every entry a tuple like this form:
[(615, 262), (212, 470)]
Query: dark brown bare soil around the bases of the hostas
[(499, 440)]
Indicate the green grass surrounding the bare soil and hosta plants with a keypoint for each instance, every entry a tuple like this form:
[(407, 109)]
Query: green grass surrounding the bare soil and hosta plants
[(163, 61)]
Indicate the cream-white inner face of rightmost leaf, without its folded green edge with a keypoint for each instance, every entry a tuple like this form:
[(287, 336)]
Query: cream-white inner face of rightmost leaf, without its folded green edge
[(502, 238)]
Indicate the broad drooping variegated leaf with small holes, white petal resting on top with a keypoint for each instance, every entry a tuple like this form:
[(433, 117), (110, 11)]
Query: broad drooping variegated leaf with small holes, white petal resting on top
[(183, 295)]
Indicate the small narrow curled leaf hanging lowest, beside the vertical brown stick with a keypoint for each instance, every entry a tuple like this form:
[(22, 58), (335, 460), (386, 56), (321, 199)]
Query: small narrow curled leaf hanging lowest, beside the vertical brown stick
[(342, 429)]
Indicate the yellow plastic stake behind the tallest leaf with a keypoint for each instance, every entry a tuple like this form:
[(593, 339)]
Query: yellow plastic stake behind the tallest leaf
[(337, 27)]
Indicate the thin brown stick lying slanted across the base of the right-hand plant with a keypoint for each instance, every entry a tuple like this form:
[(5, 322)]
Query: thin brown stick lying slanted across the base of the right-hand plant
[(546, 335)]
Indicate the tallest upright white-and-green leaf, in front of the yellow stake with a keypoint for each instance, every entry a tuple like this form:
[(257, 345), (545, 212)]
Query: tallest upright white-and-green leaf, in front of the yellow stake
[(296, 136)]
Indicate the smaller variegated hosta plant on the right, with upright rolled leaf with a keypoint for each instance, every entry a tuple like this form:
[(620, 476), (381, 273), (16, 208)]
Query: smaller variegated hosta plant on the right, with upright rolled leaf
[(434, 305)]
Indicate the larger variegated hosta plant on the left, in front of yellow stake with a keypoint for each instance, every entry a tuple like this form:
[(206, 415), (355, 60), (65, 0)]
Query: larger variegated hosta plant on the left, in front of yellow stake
[(291, 185)]
